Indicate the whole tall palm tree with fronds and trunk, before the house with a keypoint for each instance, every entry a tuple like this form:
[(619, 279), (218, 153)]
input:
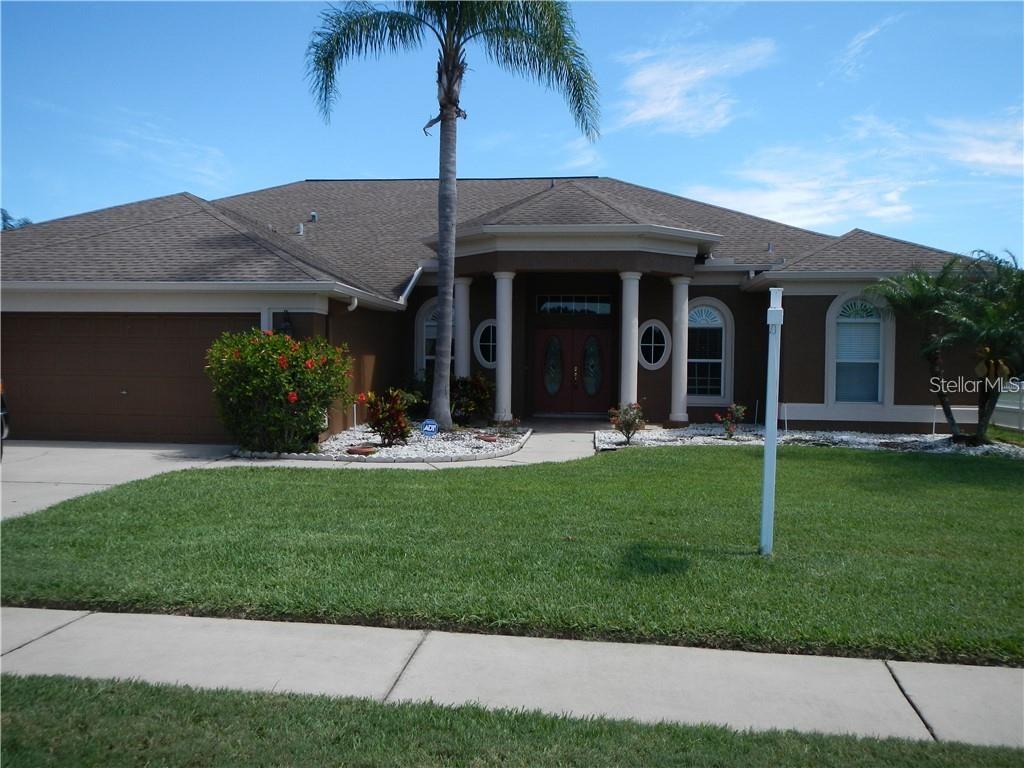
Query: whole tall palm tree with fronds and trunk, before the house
[(534, 39)]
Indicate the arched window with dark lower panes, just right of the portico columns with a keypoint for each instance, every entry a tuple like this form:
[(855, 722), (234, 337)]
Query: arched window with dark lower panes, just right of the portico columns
[(709, 355)]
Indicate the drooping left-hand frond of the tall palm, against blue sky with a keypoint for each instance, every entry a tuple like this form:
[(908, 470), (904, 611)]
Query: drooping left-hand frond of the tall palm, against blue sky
[(355, 31)]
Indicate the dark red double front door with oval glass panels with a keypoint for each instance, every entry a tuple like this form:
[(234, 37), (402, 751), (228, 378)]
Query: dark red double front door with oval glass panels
[(572, 371)]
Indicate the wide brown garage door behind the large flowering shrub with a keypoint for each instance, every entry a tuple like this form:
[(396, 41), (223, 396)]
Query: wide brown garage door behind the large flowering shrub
[(113, 377)]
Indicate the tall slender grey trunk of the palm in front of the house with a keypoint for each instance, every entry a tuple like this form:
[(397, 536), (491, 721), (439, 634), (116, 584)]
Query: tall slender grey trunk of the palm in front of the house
[(441, 408)]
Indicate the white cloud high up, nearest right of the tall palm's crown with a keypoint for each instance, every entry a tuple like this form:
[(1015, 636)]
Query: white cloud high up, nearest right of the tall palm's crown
[(686, 91)]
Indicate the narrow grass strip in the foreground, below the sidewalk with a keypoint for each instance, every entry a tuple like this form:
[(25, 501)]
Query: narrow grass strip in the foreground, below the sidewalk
[(52, 721)]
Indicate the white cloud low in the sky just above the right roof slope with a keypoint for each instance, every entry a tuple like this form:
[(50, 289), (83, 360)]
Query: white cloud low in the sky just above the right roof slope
[(812, 189)]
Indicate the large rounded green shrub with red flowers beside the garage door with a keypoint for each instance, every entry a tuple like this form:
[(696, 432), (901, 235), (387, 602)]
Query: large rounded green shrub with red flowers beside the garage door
[(275, 392)]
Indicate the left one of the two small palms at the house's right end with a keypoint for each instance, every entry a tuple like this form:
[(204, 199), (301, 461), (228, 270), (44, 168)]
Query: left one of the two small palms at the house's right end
[(925, 297)]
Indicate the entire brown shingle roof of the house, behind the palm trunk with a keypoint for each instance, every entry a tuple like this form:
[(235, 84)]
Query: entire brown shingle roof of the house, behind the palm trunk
[(373, 234)]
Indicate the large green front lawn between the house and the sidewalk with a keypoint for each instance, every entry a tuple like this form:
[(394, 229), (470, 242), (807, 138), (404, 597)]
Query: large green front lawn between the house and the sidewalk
[(903, 557)]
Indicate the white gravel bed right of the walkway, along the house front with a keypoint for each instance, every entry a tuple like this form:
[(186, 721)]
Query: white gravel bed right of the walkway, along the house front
[(714, 435)]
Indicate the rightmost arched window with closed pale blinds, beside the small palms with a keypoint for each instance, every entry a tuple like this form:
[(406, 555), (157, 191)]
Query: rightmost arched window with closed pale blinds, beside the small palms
[(859, 353)]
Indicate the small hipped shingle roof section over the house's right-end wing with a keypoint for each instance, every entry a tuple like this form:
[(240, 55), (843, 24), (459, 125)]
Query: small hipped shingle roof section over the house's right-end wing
[(860, 250)]
